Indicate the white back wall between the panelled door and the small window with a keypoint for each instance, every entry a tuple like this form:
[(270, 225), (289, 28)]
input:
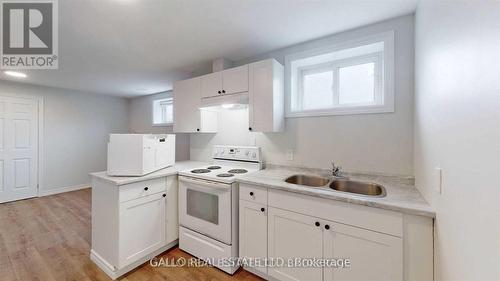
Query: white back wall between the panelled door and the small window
[(76, 128)]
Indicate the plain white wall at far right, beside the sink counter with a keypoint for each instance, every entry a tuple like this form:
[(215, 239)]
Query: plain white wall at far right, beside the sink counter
[(457, 128)]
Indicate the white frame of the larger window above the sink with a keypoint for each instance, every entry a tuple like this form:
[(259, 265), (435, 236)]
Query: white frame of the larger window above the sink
[(384, 75)]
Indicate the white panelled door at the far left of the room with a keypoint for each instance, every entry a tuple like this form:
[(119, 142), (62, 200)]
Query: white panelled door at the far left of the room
[(18, 148)]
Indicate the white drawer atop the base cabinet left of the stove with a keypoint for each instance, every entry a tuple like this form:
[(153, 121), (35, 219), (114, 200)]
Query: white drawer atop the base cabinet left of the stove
[(140, 189)]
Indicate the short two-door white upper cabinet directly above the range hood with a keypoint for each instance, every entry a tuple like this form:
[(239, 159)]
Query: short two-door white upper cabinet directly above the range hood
[(229, 81)]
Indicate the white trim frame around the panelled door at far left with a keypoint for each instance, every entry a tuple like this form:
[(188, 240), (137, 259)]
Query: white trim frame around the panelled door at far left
[(41, 145)]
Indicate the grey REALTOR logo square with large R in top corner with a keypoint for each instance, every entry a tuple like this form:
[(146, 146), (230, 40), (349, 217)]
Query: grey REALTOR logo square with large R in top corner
[(29, 34)]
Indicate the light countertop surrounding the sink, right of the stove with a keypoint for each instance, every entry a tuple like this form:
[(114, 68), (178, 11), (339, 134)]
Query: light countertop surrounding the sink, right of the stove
[(401, 195)]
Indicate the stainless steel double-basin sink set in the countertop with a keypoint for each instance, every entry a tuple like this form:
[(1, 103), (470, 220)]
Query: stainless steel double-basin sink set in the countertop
[(343, 185)]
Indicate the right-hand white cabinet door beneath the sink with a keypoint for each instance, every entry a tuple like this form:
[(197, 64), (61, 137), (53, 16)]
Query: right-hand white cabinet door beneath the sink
[(373, 256)]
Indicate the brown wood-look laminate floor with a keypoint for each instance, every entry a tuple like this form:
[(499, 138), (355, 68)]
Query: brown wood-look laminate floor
[(48, 239)]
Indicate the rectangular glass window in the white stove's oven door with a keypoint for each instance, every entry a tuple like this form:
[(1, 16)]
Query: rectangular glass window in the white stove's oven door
[(204, 206)]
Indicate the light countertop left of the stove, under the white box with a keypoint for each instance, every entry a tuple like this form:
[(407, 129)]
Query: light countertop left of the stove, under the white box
[(173, 170)]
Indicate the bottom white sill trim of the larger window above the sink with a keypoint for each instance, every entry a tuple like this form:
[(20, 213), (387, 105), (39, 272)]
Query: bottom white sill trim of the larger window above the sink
[(341, 111)]
